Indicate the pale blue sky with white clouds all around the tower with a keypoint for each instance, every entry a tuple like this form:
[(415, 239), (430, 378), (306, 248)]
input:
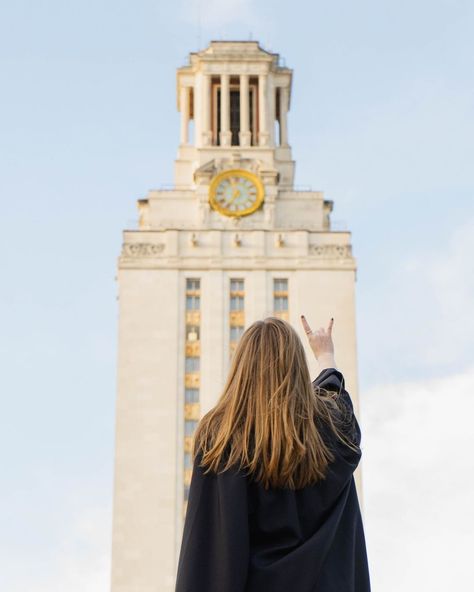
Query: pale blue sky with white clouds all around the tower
[(381, 120)]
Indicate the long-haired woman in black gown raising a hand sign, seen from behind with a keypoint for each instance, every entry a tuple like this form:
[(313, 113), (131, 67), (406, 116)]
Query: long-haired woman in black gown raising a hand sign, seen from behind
[(273, 505)]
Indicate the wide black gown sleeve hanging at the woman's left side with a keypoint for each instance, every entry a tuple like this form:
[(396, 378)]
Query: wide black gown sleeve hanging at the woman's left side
[(214, 551)]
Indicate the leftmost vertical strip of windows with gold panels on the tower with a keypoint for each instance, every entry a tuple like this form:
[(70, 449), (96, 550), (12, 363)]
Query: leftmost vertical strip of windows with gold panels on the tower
[(192, 358)]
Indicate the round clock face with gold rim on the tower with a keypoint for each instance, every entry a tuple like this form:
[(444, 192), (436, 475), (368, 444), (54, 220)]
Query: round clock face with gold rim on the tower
[(236, 193)]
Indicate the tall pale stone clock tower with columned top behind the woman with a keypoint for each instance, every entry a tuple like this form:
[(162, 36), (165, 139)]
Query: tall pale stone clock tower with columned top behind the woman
[(231, 243)]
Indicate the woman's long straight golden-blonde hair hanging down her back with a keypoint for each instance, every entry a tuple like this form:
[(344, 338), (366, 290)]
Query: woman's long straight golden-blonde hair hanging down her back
[(266, 419)]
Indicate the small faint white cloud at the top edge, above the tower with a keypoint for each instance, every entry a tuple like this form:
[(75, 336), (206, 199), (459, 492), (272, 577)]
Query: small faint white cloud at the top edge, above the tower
[(217, 13)]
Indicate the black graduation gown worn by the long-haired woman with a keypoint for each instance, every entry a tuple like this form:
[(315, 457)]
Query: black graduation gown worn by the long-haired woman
[(239, 537)]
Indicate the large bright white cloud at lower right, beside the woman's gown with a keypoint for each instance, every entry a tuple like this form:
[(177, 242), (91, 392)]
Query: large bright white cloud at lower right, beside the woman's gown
[(418, 479)]
